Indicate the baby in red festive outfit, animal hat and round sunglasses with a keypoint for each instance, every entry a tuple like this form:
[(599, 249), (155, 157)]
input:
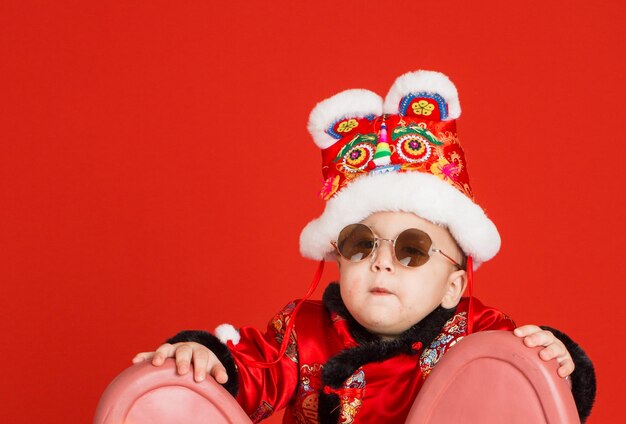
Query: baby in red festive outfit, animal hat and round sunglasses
[(402, 225)]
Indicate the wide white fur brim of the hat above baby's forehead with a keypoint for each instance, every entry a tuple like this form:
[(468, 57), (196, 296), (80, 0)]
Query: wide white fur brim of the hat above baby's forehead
[(423, 194)]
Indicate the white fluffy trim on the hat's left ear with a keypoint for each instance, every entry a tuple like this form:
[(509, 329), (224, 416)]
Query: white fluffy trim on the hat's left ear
[(356, 103)]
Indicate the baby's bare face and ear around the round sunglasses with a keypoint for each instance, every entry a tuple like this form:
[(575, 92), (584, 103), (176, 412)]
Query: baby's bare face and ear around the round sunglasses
[(388, 298)]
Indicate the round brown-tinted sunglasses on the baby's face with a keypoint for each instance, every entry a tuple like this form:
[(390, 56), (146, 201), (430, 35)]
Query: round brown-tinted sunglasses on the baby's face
[(412, 247)]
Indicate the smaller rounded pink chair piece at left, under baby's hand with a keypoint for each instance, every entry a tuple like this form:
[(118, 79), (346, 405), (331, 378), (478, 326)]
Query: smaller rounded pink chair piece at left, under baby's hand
[(145, 394)]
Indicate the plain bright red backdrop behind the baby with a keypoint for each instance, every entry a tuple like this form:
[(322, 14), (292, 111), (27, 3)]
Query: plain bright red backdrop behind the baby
[(156, 170)]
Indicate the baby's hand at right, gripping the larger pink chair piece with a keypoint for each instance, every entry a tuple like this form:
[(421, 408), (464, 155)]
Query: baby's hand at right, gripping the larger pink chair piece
[(554, 348)]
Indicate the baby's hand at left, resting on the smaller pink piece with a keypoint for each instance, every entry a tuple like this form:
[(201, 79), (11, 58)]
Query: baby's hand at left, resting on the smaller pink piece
[(204, 361)]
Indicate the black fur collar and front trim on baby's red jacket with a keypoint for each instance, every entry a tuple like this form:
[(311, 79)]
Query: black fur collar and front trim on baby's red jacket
[(370, 349)]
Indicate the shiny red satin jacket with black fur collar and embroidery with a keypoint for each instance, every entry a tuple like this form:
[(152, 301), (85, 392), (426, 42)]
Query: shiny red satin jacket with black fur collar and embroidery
[(334, 371)]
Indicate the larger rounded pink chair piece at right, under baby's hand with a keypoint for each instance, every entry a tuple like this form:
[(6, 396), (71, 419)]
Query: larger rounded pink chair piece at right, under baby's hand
[(492, 377)]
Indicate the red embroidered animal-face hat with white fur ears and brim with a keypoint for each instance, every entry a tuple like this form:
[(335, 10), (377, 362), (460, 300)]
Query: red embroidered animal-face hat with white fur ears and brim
[(400, 154)]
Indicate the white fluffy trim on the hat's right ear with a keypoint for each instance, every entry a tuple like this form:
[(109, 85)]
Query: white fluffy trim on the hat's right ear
[(423, 81)]
